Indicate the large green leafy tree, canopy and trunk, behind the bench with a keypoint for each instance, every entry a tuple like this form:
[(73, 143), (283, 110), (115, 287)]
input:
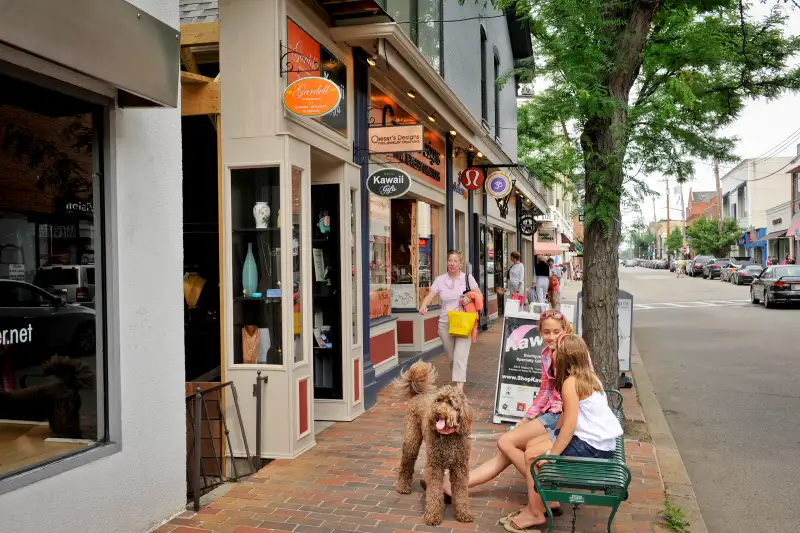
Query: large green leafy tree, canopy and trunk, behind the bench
[(629, 87)]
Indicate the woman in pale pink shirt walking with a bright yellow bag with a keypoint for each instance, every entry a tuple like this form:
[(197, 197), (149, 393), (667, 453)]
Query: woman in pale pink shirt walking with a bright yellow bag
[(455, 290)]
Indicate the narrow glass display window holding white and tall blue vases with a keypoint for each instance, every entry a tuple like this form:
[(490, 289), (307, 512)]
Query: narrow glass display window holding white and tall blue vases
[(256, 273)]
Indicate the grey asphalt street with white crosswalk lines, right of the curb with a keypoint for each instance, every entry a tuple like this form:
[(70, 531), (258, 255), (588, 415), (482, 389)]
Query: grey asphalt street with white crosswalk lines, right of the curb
[(727, 375)]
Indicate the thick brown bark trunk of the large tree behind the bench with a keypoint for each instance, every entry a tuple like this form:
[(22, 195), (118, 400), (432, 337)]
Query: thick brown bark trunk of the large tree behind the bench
[(603, 142)]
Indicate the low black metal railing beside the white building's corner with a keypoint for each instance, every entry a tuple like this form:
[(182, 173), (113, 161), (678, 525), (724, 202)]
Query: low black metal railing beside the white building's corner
[(203, 420)]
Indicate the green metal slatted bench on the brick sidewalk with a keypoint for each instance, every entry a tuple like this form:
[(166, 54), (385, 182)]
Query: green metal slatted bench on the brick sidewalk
[(567, 479)]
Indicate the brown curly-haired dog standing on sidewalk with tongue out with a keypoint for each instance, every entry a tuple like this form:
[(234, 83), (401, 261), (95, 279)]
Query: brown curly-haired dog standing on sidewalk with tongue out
[(443, 418)]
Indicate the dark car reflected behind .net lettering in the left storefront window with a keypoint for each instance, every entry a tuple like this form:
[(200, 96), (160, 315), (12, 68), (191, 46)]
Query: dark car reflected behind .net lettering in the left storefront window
[(52, 325)]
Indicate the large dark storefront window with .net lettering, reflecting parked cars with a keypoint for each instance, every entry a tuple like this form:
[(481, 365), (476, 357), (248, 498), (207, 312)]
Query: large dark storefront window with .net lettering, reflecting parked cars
[(51, 282)]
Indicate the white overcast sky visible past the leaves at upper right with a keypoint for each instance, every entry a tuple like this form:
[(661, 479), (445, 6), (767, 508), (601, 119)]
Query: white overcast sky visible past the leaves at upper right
[(760, 128)]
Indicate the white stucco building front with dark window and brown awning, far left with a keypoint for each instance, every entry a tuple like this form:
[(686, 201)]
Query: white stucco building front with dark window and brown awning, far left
[(90, 255)]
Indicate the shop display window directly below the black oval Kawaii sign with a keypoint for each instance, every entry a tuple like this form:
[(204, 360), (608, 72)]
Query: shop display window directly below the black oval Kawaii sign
[(403, 252)]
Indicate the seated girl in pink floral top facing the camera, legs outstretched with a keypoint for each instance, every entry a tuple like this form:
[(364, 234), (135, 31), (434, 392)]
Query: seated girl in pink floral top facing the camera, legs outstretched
[(540, 419)]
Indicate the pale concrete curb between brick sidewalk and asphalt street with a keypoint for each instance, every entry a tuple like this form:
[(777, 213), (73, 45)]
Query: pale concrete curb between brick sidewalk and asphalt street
[(677, 485)]
